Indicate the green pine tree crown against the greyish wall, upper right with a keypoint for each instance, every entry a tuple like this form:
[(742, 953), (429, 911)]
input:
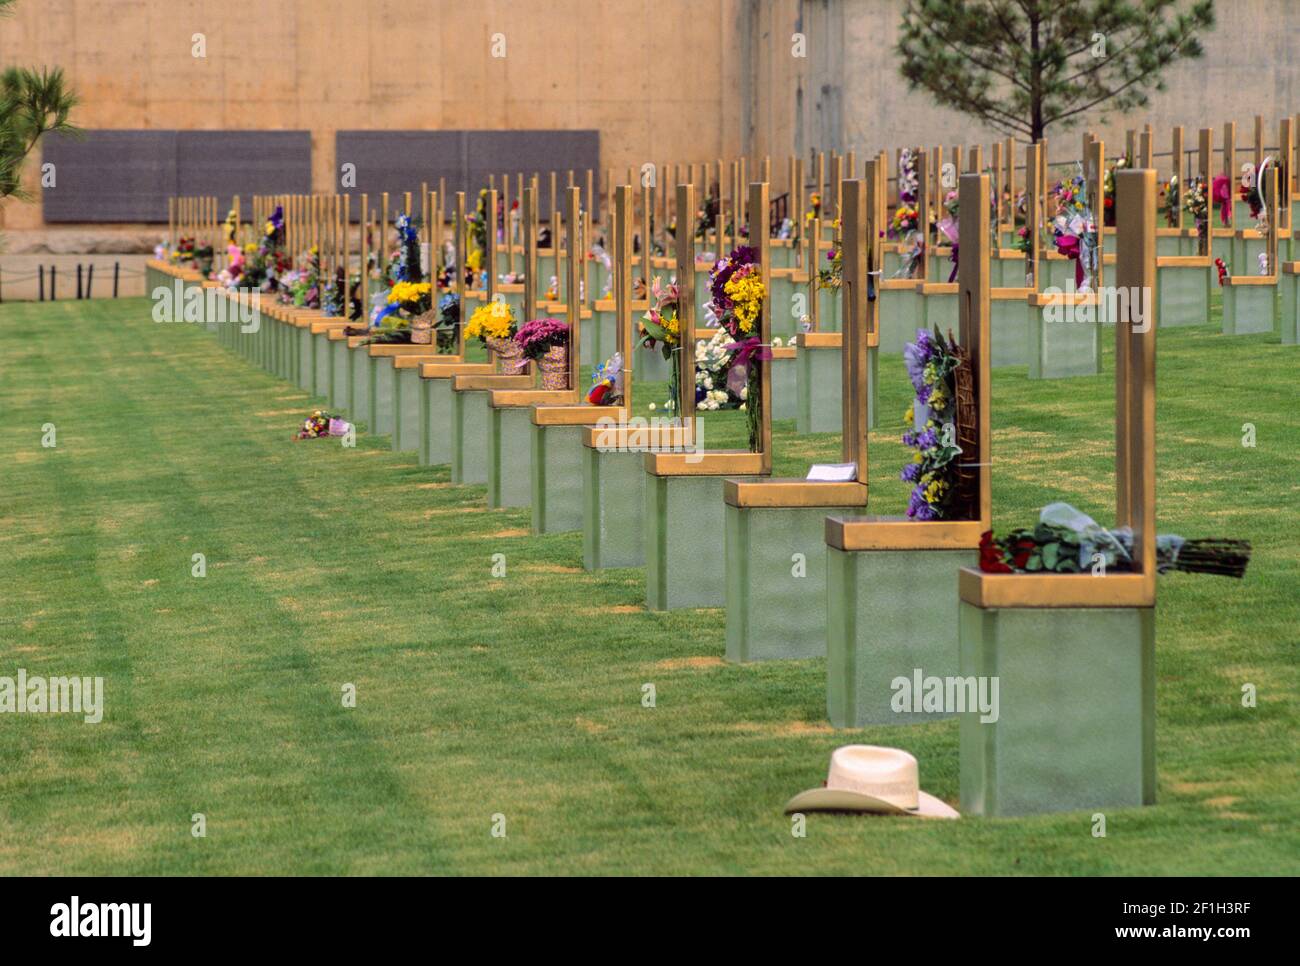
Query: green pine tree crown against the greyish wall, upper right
[(1024, 66)]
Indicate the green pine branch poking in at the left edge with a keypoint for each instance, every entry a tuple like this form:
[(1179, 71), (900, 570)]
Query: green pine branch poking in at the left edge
[(33, 103)]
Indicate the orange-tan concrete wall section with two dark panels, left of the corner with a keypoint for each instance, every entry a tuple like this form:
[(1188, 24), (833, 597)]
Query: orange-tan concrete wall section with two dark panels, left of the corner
[(652, 76)]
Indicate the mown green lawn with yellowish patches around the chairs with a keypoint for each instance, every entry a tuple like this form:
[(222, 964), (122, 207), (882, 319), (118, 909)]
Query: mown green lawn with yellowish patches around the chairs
[(523, 696)]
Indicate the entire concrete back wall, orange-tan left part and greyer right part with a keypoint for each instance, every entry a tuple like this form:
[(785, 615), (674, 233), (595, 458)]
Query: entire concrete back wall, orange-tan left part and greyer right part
[(661, 80)]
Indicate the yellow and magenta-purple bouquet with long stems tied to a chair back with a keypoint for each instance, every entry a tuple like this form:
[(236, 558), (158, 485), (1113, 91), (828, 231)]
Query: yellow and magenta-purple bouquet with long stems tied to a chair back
[(736, 287)]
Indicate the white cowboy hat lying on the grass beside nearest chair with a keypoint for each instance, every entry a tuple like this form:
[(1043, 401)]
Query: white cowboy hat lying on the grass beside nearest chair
[(868, 778)]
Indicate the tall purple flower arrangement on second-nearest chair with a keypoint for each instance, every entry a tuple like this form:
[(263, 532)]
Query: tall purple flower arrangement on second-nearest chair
[(933, 365)]
